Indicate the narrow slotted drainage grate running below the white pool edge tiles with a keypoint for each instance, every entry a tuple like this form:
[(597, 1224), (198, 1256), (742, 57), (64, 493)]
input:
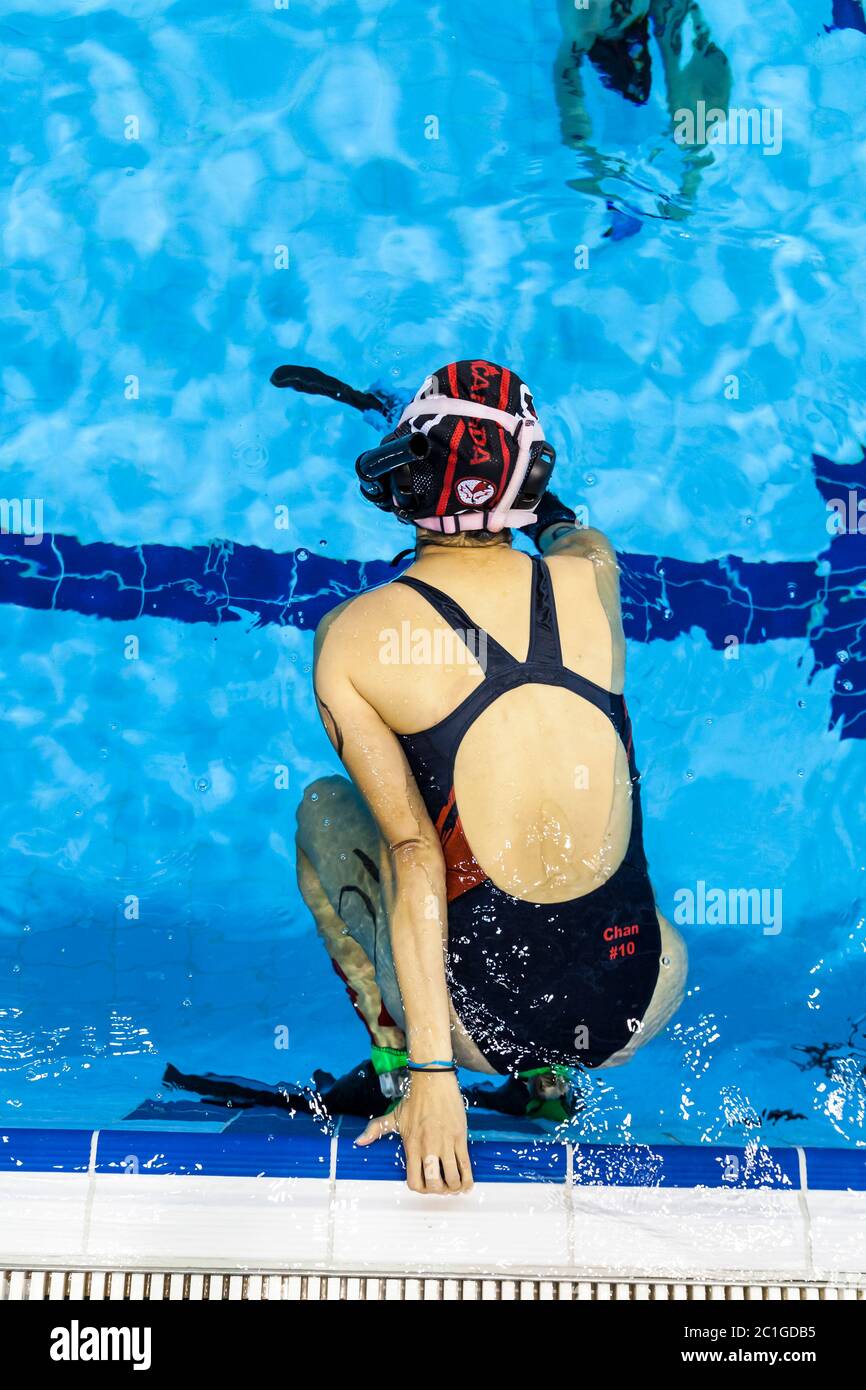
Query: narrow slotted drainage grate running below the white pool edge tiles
[(165, 1285)]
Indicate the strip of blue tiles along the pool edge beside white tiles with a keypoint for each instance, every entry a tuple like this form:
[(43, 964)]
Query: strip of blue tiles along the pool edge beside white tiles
[(305, 1152)]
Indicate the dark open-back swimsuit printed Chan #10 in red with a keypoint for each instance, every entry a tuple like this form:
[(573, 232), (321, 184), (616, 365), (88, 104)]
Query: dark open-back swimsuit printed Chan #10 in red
[(537, 985)]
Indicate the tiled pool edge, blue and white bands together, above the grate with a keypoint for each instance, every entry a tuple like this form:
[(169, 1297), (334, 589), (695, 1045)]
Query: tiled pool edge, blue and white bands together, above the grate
[(273, 1193)]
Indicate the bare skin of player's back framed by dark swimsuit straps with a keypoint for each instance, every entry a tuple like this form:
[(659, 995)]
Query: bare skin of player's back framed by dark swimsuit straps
[(541, 776)]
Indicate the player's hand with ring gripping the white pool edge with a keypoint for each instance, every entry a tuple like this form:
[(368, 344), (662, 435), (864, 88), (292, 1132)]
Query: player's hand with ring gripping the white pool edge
[(432, 1122)]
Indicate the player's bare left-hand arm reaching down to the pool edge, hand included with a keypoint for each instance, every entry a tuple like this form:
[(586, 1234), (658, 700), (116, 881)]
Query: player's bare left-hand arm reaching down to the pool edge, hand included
[(432, 1120)]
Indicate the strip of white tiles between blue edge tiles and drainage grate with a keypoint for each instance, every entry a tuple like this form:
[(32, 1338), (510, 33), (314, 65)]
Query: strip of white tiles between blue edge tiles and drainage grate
[(140, 1223)]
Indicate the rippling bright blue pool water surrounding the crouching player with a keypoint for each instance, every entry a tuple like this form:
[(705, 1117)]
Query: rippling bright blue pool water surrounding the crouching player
[(199, 194)]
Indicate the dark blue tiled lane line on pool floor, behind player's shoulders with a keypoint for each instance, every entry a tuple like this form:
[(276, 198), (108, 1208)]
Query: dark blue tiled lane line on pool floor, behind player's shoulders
[(824, 600)]
